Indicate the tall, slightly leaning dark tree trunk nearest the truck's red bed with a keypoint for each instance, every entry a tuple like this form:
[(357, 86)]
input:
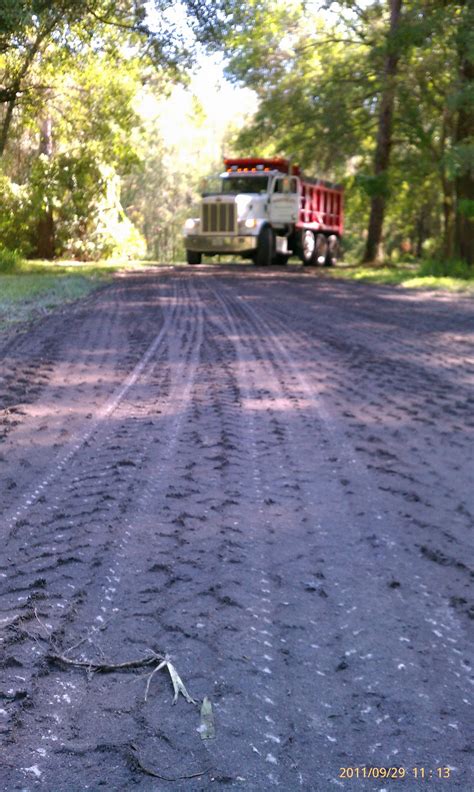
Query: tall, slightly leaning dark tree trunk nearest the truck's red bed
[(373, 250)]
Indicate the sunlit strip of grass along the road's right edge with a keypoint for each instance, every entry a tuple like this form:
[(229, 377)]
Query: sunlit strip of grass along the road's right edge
[(433, 275)]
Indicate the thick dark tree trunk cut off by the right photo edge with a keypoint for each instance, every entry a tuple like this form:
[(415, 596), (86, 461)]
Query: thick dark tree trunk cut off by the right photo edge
[(464, 226)]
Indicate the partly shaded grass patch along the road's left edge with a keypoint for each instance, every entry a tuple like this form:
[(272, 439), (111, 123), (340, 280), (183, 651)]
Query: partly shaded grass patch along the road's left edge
[(31, 289)]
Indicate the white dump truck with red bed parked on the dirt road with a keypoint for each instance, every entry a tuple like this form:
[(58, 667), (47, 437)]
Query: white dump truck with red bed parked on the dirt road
[(265, 210)]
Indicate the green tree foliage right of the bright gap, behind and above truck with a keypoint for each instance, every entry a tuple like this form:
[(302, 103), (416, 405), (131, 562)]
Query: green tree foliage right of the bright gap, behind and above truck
[(320, 78)]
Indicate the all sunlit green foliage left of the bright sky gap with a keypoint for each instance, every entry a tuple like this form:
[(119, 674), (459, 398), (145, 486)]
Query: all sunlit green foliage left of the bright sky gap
[(76, 68)]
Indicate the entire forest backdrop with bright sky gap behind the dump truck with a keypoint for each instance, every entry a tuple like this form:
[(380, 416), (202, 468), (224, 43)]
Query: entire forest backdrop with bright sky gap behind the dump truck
[(95, 160)]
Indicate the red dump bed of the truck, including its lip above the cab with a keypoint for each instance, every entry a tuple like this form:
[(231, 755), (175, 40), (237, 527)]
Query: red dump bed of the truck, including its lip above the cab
[(322, 202)]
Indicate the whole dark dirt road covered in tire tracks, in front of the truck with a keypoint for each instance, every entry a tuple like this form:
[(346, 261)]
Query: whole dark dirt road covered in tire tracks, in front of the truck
[(269, 476)]
